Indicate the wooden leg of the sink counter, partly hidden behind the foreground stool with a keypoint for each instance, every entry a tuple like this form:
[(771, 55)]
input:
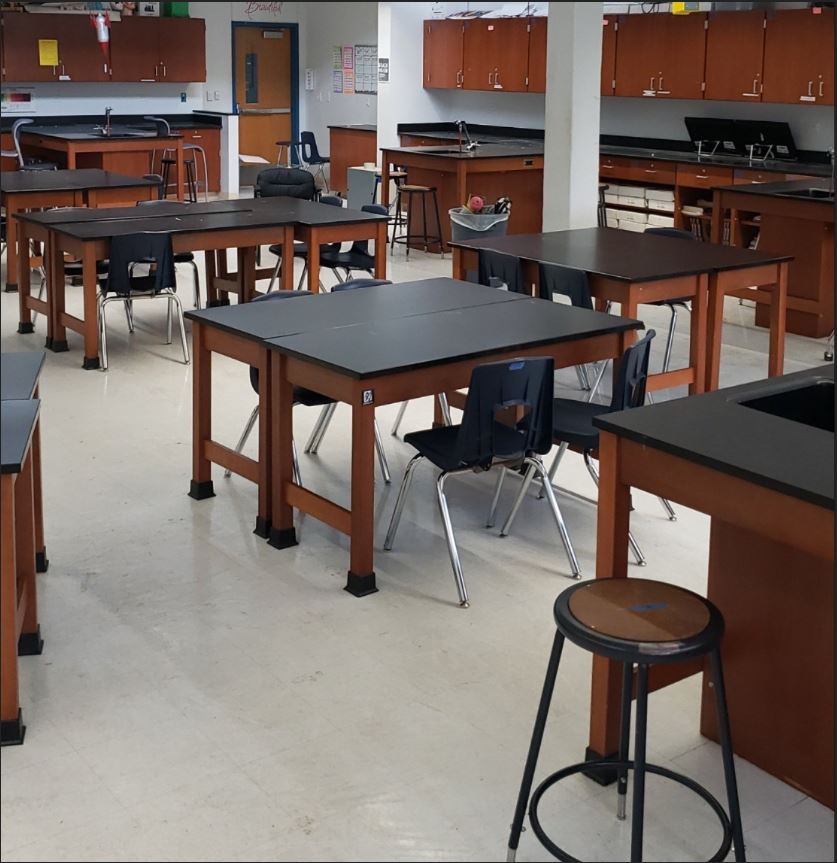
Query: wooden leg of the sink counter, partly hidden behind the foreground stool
[(611, 562)]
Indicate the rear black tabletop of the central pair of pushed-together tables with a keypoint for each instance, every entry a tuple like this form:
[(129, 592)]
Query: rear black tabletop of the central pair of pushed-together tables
[(292, 315)]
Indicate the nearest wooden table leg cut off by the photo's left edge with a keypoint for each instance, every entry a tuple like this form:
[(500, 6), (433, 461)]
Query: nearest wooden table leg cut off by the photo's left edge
[(12, 729)]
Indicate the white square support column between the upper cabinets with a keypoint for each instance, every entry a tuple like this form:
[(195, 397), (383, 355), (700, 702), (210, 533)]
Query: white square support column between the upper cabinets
[(571, 123)]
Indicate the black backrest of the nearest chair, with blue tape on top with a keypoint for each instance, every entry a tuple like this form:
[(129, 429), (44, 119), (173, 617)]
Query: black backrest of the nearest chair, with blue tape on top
[(494, 386)]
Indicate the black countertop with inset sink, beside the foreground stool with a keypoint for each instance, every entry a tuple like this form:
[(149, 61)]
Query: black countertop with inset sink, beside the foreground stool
[(716, 430)]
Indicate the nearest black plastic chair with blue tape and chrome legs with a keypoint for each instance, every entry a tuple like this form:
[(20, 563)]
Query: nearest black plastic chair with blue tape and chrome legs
[(480, 442)]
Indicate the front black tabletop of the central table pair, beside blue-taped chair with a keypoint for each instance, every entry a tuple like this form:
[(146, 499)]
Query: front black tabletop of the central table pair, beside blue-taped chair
[(383, 347)]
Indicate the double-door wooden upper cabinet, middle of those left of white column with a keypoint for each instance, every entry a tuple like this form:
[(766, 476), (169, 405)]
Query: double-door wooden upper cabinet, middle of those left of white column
[(496, 54)]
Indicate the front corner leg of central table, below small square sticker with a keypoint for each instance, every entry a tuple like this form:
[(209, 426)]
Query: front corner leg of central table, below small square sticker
[(361, 576)]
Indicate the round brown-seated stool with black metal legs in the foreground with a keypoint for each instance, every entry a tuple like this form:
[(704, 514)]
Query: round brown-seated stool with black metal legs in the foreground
[(641, 623)]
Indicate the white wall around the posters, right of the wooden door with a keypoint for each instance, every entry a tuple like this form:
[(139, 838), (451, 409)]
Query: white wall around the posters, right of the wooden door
[(331, 24)]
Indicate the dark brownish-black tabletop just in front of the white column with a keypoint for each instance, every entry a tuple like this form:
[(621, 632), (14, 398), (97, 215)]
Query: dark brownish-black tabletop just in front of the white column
[(624, 255)]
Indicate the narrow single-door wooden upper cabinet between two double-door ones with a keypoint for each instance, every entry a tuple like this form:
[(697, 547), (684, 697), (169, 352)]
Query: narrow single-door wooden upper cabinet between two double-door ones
[(735, 56)]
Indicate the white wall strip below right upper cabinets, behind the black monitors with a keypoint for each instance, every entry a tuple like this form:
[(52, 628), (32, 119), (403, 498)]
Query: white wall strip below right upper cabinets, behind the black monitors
[(812, 125)]
